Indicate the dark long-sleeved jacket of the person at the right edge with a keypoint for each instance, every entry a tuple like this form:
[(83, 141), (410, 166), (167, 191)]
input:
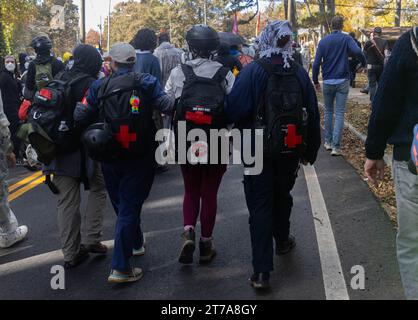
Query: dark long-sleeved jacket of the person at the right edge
[(395, 106)]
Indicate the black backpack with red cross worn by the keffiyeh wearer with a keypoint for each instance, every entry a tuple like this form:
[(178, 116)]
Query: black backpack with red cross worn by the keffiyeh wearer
[(281, 113)]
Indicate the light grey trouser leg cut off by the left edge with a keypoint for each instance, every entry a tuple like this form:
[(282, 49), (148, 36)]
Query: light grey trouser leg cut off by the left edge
[(8, 222)]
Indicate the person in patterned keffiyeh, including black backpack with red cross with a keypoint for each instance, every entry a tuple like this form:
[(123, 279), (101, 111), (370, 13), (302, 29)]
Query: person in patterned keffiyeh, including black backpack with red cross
[(253, 104)]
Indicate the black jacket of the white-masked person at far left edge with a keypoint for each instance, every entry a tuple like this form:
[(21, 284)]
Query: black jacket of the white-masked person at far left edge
[(11, 94)]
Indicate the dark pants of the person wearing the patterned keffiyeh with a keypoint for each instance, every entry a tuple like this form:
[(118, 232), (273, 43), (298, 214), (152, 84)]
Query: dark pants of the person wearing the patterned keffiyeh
[(270, 203)]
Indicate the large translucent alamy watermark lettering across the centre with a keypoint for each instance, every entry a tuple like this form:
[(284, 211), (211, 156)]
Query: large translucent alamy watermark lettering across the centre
[(223, 146)]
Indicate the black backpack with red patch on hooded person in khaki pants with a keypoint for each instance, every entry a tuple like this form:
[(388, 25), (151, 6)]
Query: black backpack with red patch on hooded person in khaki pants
[(50, 120)]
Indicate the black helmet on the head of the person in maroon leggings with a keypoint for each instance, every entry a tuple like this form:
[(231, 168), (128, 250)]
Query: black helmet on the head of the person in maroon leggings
[(203, 40)]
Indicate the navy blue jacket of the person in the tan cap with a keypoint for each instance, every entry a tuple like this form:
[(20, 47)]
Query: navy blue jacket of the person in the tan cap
[(151, 94)]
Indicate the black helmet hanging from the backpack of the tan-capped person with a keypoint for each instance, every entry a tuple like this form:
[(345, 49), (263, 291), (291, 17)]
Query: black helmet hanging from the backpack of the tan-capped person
[(99, 142)]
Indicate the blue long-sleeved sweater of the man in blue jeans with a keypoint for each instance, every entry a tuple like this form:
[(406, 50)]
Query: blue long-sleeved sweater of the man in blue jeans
[(333, 52)]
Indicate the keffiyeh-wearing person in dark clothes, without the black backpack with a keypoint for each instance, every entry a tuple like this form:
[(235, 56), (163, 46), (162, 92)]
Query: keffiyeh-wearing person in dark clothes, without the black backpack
[(268, 194)]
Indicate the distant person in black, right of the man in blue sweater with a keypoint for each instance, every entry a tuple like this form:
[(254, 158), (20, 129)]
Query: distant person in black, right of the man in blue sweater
[(376, 51)]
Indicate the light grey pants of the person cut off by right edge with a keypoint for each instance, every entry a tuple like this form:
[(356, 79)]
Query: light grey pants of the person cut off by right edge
[(406, 185)]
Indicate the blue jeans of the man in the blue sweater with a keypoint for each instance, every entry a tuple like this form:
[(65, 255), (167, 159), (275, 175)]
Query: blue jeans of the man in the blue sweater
[(339, 93)]
